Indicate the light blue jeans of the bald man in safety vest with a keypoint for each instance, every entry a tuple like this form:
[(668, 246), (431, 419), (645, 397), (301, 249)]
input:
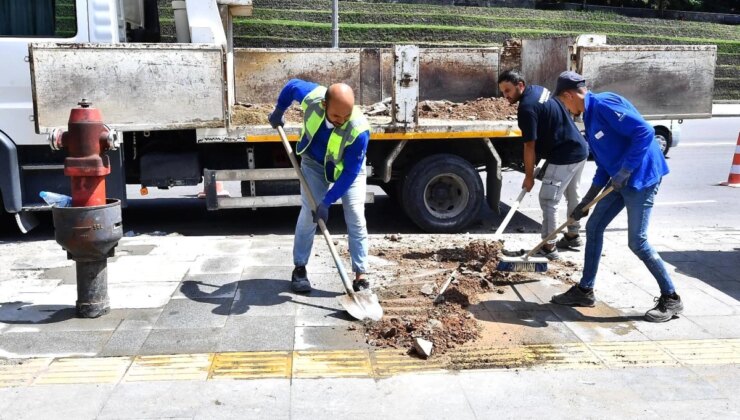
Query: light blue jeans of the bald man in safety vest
[(353, 203)]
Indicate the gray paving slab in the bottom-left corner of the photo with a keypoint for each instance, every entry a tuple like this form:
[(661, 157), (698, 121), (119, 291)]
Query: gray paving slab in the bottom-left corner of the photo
[(82, 401)]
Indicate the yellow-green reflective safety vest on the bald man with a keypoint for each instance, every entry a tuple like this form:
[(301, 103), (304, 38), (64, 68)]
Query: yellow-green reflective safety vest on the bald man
[(314, 115)]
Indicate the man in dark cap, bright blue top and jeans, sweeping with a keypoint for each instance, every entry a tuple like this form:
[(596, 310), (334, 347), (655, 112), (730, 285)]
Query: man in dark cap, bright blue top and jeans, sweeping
[(624, 149)]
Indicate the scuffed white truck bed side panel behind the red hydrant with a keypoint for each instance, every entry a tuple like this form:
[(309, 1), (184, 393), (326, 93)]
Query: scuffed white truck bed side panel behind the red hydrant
[(136, 86)]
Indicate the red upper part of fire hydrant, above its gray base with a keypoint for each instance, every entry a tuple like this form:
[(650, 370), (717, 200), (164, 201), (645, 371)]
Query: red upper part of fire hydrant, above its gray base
[(86, 141)]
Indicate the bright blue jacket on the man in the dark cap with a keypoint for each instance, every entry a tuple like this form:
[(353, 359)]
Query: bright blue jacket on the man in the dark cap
[(619, 138)]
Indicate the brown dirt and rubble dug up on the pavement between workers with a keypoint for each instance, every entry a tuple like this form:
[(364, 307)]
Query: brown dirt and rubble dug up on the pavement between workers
[(411, 299)]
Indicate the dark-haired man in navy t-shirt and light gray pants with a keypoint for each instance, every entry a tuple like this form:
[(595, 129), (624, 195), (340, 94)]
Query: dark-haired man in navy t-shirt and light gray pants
[(548, 132)]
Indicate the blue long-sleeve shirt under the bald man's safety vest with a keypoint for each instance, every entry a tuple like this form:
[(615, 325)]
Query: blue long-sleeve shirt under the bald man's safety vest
[(354, 154)]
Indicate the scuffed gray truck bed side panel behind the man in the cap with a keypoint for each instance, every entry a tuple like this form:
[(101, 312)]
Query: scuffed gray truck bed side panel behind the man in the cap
[(663, 82)]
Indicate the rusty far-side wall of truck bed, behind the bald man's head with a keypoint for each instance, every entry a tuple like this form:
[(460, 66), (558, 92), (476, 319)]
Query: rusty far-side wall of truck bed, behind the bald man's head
[(457, 75)]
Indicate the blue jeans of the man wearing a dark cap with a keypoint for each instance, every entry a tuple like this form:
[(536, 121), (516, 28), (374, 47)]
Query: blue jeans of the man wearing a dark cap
[(639, 204)]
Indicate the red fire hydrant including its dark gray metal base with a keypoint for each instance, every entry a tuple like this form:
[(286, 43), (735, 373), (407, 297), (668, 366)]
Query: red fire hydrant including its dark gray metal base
[(89, 230)]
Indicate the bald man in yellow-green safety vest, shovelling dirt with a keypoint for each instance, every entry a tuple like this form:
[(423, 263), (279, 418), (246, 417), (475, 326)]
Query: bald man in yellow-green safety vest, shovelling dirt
[(332, 148)]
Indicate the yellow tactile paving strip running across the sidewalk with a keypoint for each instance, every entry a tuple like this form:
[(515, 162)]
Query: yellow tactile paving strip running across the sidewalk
[(363, 363)]
